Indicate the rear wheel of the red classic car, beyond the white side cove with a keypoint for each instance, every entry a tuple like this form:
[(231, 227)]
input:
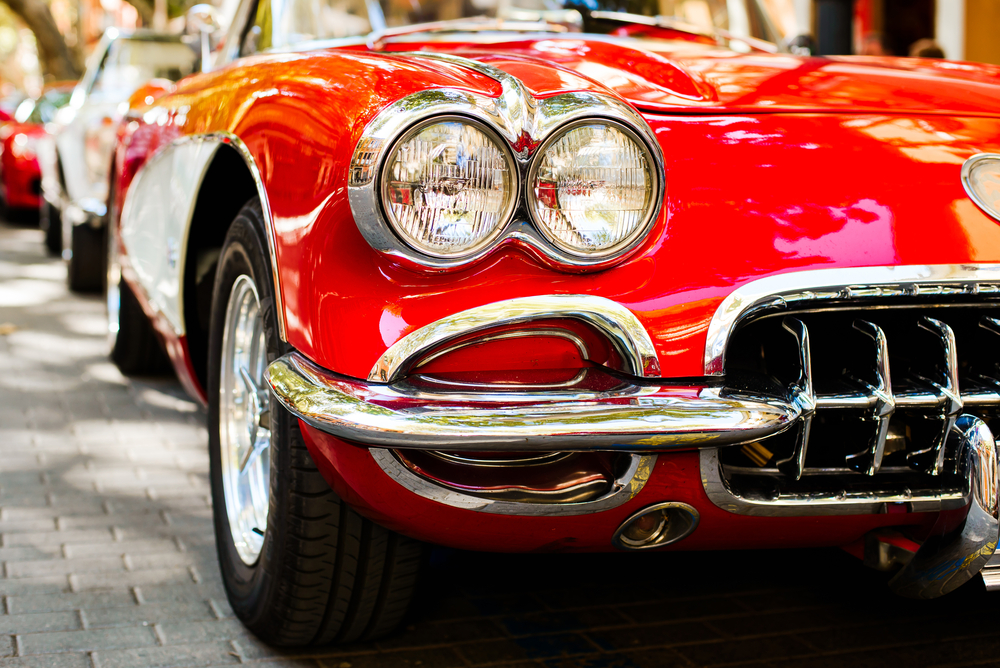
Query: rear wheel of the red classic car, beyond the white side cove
[(135, 347)]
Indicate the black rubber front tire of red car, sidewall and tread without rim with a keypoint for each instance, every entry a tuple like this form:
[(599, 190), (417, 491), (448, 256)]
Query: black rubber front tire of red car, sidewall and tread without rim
[(324, 573)]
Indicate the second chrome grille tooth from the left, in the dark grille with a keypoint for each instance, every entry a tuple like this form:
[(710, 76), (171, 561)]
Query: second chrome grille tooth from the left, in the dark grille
[(880, 397)]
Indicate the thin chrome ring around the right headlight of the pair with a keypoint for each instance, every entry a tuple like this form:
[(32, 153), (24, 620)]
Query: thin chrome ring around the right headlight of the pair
[(656, 173)]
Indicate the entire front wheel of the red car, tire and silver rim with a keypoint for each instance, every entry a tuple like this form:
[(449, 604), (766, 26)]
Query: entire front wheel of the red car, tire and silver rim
[(299, 566)]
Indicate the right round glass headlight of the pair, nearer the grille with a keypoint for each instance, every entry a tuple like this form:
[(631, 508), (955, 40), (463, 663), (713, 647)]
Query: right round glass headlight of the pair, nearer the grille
[(592, 191)]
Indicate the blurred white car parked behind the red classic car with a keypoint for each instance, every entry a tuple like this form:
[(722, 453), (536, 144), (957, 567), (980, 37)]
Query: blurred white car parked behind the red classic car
[(75, 167)]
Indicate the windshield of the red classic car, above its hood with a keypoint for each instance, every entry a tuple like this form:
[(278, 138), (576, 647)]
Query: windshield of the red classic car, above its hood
[(281, 23)]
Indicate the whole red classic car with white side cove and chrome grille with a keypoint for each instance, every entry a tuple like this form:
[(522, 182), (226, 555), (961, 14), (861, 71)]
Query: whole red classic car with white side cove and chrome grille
[(570, 278)]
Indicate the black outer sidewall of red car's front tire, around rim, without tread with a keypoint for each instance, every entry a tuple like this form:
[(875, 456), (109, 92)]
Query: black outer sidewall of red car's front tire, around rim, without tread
[(249, 588)]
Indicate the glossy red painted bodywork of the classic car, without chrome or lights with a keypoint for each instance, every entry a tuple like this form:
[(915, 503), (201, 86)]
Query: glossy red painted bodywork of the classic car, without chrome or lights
[(774, 165)]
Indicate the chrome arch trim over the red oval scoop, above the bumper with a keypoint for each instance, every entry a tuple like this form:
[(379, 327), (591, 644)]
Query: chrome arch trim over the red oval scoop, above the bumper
[(619, 324)]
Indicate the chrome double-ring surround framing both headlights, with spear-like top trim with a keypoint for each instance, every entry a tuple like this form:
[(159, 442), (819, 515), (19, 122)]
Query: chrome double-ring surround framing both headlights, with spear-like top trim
[(523, 123)]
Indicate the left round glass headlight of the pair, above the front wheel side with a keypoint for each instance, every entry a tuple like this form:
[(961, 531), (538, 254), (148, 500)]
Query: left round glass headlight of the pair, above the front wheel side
[(448, 187)]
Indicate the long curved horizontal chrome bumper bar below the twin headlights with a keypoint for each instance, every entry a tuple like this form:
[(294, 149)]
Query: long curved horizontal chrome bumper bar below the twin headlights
[(593, 411)]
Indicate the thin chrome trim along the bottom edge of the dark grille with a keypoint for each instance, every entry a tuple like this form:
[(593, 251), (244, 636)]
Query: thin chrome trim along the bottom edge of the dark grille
[(843, 503)]
